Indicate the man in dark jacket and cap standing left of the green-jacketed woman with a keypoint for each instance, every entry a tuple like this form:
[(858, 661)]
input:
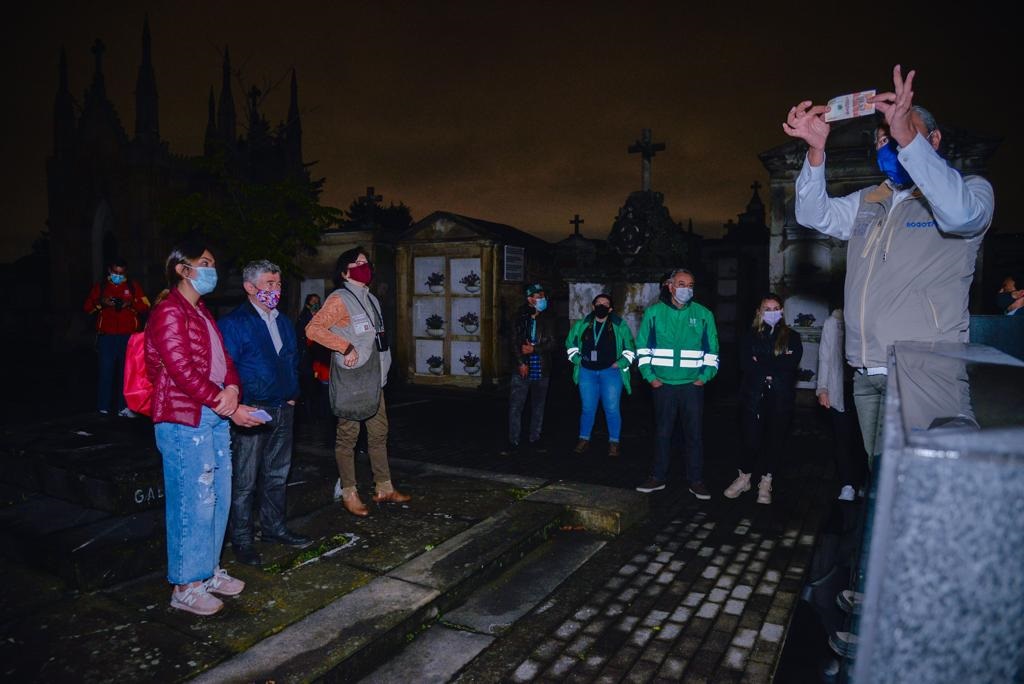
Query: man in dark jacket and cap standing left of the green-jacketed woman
[(533, 341)]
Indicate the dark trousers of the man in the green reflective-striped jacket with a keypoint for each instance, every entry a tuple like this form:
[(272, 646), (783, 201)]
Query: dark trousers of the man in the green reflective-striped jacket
[(682, 405)]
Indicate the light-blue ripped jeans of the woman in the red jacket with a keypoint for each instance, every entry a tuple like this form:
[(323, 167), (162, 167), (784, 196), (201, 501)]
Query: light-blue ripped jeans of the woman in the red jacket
[(198, 495)]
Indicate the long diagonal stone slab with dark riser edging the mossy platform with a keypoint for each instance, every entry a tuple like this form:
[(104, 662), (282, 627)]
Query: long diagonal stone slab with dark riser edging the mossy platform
[(355, 634)]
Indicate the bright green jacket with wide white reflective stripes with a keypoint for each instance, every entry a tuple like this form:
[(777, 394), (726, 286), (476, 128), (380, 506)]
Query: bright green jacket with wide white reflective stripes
[(677, 347)]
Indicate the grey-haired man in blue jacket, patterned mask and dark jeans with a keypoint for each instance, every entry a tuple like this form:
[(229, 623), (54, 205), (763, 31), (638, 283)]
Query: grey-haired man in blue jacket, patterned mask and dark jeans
[(264, 347)]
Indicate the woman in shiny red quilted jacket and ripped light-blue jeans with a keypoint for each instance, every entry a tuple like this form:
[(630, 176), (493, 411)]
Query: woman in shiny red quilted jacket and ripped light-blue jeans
[(195, 392)]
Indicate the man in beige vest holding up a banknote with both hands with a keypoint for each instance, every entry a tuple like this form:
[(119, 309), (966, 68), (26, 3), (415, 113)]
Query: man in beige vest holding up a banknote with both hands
[(912, 241)]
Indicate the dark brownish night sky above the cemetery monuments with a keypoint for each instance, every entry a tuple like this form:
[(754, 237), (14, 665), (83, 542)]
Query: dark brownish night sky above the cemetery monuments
[(518, 113)]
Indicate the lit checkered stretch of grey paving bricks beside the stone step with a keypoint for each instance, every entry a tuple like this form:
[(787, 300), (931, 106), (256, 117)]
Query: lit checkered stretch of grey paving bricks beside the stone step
[(707, 600)]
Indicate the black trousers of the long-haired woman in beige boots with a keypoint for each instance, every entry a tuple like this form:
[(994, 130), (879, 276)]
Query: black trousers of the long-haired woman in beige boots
[(765, 422)]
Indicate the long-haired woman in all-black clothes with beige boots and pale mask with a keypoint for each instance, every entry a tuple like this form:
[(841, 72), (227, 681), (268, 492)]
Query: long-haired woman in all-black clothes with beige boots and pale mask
[(770, 359)]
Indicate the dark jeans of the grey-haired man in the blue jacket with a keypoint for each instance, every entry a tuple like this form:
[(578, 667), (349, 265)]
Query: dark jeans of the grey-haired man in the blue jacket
[(262, 455)]
